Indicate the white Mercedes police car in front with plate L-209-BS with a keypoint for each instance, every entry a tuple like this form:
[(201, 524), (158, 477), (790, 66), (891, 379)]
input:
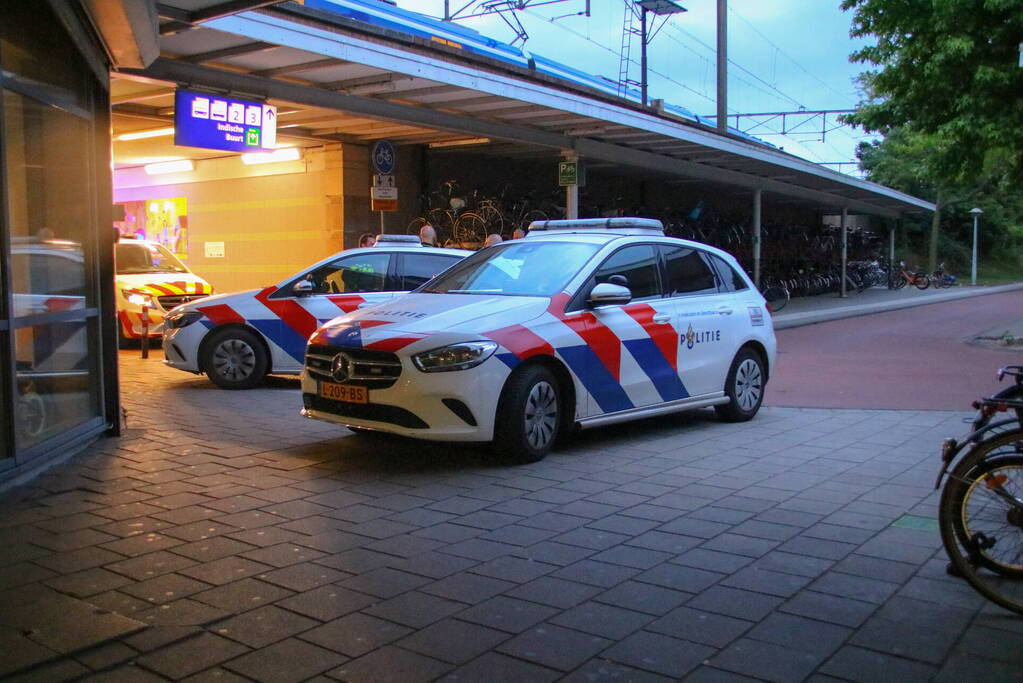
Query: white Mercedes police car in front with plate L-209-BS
[(583, 324)]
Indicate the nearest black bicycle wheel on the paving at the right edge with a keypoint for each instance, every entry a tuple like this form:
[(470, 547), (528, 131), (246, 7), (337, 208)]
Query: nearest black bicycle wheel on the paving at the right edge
[(982, 520)]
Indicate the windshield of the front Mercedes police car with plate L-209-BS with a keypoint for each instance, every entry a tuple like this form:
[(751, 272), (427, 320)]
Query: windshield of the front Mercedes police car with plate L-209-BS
[(516, 269)]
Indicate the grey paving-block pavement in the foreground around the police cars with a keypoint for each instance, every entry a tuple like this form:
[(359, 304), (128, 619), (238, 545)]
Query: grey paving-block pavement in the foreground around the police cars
[(226, 538)]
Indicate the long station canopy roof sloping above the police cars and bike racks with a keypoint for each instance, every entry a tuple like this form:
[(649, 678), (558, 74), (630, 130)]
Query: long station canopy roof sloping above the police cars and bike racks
[(361, 71)]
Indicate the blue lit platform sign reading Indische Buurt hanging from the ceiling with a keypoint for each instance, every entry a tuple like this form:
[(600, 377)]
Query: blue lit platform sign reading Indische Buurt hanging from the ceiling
[(212, 122)]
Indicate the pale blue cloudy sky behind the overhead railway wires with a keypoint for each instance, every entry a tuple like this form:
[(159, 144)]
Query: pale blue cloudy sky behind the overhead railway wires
[(784, 56)]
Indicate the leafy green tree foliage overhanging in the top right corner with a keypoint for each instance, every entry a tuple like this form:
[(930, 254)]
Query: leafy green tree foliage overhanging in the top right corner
[(948, 69)]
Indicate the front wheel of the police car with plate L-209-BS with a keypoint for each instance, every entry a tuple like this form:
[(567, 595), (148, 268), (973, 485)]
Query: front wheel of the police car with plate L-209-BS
[(528, 416)]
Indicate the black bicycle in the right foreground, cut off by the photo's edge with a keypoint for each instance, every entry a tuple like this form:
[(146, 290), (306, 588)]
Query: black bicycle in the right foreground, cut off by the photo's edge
[(981, 514)]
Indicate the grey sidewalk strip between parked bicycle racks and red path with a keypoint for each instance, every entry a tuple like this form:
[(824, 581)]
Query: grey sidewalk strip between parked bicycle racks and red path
[(811, 310)]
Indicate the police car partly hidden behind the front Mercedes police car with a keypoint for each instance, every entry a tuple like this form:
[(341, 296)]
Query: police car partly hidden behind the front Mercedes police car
[(237, 340)]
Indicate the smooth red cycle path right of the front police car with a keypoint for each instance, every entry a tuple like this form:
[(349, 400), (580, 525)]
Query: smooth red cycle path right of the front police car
[(913, 359)]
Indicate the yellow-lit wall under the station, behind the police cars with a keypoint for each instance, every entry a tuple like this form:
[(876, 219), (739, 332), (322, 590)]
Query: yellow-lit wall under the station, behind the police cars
[(274, 219)]
